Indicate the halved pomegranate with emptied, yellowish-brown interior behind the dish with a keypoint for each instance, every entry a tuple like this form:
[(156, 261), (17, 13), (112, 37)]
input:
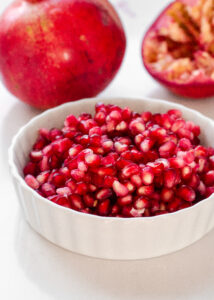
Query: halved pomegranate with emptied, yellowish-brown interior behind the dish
[(178, 49)]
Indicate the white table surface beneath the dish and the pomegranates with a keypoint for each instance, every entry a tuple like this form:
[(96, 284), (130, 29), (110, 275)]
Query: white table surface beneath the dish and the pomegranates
[(32, 268)]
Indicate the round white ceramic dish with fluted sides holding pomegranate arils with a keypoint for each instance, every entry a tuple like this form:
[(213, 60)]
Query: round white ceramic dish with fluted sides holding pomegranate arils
[(107, 237)]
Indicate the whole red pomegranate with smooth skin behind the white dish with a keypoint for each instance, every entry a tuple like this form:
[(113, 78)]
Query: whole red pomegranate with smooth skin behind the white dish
[(54, 51)]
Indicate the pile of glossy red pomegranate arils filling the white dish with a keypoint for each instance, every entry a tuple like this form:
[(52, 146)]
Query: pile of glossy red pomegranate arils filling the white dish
[(121, 163)]
